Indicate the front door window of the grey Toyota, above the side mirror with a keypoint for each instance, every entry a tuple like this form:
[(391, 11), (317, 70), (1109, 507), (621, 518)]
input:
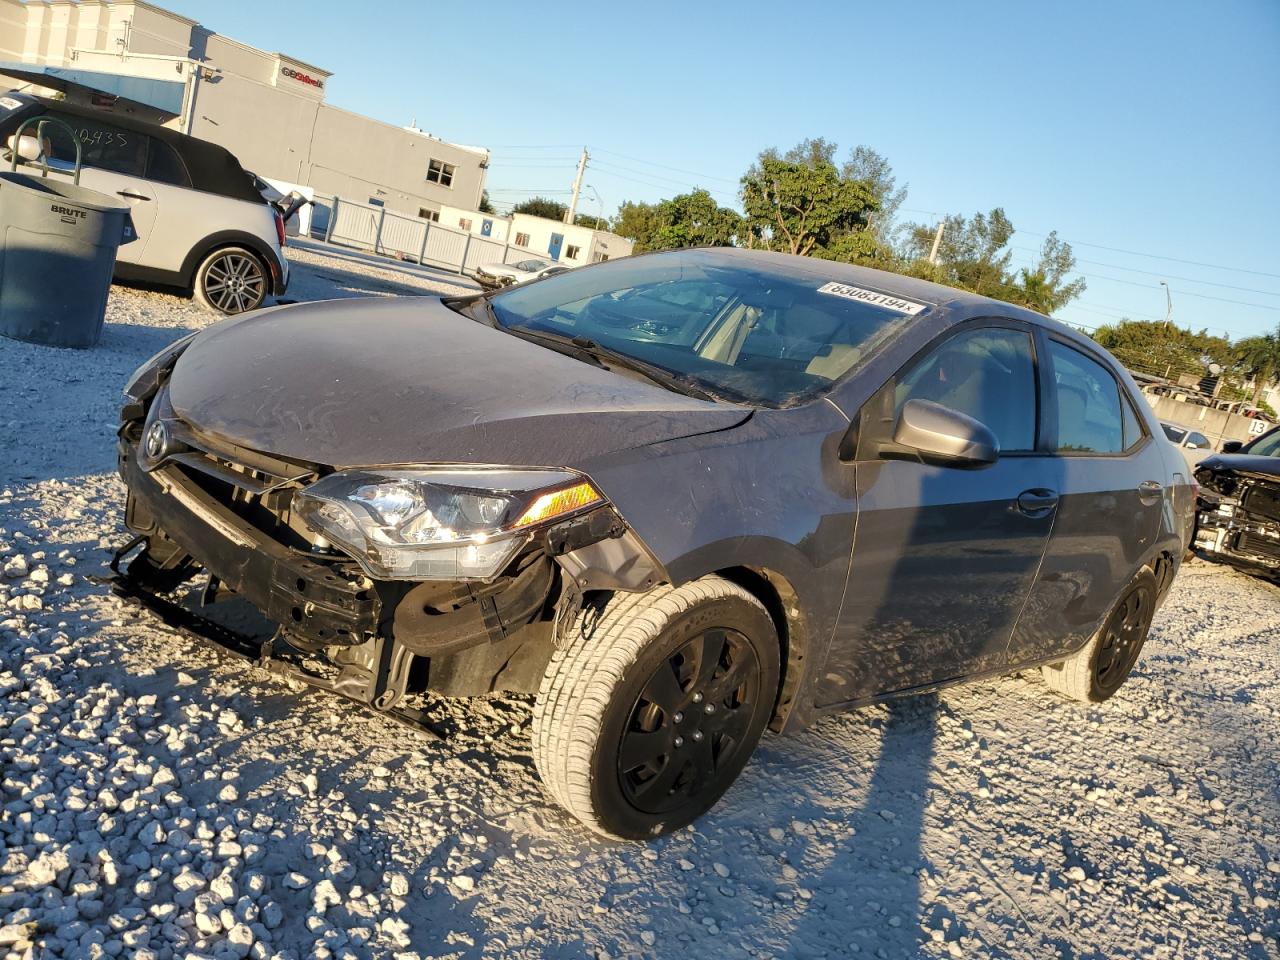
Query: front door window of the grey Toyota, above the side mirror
[(989, 374)]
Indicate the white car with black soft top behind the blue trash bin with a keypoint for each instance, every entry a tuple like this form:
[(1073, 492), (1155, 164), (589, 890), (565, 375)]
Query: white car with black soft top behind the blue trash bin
[(202, 223)]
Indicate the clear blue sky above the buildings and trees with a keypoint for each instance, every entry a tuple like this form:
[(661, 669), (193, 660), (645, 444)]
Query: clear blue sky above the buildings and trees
[(1133, 129)]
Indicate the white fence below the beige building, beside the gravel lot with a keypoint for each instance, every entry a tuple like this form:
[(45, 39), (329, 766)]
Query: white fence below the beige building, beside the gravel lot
[(381, 231)]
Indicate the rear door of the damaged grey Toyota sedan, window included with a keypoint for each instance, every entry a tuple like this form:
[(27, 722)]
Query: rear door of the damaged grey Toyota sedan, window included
[(1113, 484)]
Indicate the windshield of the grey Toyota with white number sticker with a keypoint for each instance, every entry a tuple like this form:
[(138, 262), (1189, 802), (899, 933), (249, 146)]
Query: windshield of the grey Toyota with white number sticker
[(749, 331)]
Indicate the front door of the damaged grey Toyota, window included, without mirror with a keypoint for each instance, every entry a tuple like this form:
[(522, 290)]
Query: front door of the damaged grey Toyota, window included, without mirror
[(945, 557)]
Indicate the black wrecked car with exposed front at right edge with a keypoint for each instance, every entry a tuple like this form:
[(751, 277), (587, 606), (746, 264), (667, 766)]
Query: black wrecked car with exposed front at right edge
[(1240, 505)]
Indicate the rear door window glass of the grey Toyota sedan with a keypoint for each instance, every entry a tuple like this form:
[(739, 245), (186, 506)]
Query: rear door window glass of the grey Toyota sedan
[(1089, 404)]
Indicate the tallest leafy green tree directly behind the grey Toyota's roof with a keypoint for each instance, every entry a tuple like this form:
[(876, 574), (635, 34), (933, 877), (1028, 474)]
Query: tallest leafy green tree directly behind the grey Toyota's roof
[(802, 203)]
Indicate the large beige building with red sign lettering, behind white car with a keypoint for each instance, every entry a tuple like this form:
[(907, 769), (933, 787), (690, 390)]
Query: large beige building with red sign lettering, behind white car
[(267, 108)]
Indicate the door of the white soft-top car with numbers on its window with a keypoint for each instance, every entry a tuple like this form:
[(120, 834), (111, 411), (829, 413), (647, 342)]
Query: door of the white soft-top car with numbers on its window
[(115, 163)]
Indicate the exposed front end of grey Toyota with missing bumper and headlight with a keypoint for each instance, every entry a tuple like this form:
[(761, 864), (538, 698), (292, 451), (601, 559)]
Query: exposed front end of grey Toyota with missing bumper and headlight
[(377, 582)]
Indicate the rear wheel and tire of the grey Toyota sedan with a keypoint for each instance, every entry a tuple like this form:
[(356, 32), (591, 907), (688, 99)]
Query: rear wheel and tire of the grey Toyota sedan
[(1098, 671)]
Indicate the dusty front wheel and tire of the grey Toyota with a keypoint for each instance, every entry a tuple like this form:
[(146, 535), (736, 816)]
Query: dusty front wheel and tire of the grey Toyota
[(632, 734)]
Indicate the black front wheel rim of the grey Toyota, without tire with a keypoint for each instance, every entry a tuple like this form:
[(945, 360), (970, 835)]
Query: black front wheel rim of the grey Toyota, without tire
[(691, 723)]
